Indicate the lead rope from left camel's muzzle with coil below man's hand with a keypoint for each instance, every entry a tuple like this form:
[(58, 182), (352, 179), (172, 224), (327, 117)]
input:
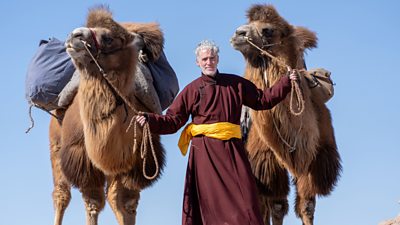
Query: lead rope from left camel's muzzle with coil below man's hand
[(146, 138)]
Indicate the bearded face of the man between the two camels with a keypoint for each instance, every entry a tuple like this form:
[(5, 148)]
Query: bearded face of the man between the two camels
[(207, 60)]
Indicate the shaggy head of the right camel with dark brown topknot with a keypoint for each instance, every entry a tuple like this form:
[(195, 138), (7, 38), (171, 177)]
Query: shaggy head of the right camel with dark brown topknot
[(272, 33)]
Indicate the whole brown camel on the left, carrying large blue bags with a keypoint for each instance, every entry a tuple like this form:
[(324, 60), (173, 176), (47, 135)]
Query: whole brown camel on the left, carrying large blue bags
[(91, 148)]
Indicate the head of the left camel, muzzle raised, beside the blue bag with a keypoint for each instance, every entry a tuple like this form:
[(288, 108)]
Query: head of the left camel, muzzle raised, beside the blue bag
[(108, 42)]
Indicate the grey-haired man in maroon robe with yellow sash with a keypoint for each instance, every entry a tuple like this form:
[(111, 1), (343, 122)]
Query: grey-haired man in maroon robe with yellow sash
[(219, 188)]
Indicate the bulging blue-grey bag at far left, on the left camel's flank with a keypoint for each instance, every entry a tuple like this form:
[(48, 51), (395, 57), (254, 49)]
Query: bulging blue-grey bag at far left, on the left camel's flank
[(50, 69)]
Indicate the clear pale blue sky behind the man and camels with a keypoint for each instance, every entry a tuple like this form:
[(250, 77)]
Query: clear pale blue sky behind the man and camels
[(358, 43)]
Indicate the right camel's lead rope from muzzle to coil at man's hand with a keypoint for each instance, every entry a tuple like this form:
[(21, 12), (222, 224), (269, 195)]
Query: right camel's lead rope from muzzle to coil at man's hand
[(296, 92)]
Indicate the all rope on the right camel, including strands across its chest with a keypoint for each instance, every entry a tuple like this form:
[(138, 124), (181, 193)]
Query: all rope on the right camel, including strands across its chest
[(295, 90)]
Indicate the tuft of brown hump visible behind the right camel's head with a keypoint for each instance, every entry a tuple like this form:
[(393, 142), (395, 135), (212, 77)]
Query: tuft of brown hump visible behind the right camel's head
[(305, 39)]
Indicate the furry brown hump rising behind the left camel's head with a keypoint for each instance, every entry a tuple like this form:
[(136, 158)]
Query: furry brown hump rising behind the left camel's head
[(152, 35)]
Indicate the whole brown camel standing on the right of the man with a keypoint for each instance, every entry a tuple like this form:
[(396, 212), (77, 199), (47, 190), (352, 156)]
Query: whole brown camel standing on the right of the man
[(281, 143)]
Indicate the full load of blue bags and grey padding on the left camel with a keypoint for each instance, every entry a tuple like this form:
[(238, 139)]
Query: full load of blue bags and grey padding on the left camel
[(52, 81)]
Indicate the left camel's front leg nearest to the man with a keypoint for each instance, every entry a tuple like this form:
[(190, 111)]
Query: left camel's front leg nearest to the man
[(123, 201)]
